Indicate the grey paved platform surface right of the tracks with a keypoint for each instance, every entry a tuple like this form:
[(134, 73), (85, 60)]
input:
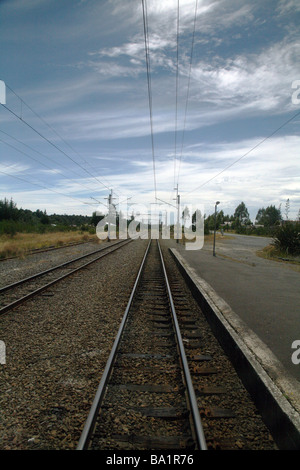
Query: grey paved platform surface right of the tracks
[(265, 294)]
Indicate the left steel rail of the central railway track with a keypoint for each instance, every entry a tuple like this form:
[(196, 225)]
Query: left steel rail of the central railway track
[(93, 414)]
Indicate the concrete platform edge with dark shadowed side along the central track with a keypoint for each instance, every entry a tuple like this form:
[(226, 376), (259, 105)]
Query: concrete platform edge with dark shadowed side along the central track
[(275, 393)]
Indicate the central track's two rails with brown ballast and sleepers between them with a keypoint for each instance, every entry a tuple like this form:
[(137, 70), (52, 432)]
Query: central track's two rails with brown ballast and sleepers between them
[(146, 399)]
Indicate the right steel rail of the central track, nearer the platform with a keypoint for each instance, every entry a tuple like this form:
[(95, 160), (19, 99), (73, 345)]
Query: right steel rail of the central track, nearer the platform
[(200, 438)]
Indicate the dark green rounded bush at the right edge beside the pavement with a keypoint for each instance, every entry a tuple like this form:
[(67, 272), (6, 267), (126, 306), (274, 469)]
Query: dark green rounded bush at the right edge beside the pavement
[(287, 238)]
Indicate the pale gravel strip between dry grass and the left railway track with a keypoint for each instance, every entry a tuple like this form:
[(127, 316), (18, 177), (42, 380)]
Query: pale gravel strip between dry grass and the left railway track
[(15, 269)]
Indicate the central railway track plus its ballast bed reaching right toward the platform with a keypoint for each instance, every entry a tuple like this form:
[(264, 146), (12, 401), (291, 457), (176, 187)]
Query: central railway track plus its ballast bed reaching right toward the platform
[(167, 385)]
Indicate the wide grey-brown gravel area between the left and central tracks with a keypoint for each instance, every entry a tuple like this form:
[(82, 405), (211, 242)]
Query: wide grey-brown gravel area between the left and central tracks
[(57, 345)]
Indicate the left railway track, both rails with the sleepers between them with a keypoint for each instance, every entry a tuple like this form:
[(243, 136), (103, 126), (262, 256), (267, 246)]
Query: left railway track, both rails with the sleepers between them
[(18, 292)]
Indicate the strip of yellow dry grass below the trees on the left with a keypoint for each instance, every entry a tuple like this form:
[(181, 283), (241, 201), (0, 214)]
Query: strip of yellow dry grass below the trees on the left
[(22, 243)]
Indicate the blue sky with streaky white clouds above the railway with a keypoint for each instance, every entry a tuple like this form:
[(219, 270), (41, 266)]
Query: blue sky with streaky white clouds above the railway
[(217, 113)]
